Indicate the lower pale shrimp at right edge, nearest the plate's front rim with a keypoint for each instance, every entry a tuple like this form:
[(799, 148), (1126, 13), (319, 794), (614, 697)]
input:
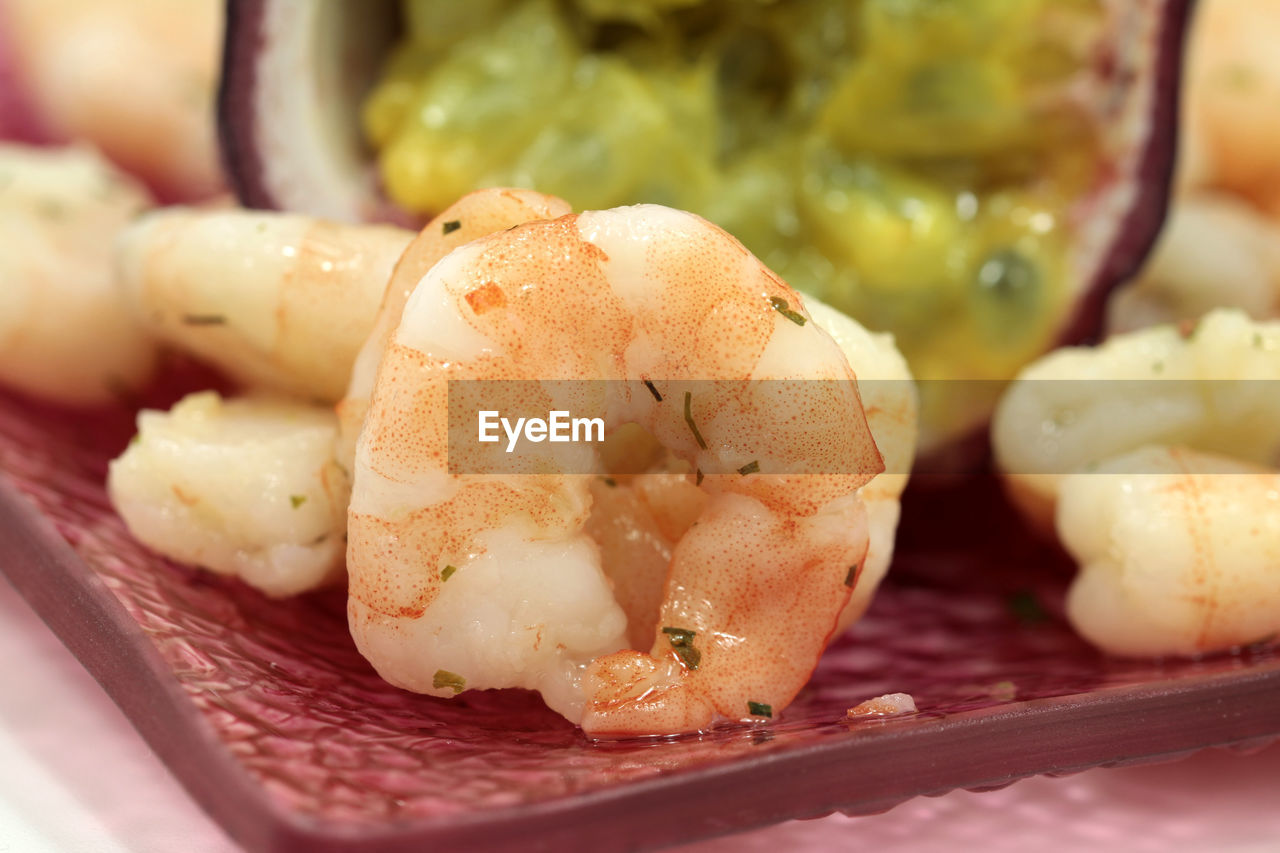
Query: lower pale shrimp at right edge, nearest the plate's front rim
[(1178, 553)]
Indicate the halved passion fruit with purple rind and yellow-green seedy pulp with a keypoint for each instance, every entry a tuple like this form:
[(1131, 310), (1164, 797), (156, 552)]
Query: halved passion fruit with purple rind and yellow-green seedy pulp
[(973, 176)]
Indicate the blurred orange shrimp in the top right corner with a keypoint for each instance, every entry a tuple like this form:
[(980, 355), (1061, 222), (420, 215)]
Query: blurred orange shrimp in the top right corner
[(1232, 120)]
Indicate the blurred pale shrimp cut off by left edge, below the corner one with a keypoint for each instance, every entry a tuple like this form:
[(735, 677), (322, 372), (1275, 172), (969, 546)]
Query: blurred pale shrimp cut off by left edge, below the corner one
[(66, 335)]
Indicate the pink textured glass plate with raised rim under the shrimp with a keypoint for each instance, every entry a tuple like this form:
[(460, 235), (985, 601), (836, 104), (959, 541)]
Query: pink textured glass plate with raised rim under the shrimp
[(277, 727)]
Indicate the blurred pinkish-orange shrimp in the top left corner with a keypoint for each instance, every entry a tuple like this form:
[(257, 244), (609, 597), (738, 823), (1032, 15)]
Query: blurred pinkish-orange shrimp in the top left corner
[(134, 77)]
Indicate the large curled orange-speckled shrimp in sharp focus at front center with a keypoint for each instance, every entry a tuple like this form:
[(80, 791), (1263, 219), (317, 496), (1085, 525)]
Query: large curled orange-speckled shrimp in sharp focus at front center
[(478, 582)]
